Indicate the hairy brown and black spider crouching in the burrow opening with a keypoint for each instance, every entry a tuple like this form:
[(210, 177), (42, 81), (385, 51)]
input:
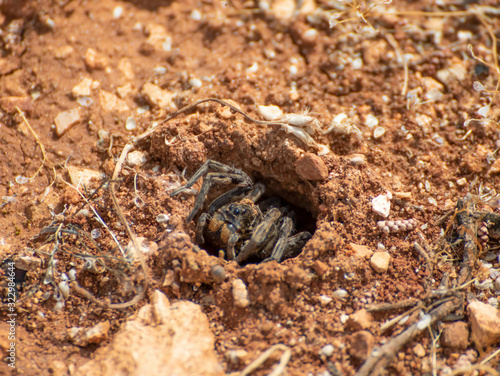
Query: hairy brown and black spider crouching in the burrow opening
[(234, 221)]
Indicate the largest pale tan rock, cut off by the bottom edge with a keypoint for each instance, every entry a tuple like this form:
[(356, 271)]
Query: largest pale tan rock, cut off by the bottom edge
[(162, 339)]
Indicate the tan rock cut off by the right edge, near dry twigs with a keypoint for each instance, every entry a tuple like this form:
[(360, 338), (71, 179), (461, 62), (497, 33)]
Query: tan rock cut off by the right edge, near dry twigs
[(484, 321)]
